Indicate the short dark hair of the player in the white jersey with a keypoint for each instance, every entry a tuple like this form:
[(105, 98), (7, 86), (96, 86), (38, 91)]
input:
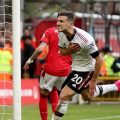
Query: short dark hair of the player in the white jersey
[(70, 15)]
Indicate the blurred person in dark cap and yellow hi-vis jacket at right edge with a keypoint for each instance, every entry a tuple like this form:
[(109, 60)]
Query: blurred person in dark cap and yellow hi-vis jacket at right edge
[(111, 64)]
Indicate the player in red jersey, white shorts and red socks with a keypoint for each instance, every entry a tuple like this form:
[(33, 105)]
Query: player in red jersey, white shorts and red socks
[(56, 68)]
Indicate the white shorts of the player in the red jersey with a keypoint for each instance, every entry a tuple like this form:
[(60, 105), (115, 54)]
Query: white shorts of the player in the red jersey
[(48, 82)]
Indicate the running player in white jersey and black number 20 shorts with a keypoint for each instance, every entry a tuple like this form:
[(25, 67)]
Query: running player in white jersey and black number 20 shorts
[(86, 61)]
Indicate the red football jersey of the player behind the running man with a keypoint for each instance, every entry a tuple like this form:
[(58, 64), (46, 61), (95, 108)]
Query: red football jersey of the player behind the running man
[(56, 64)]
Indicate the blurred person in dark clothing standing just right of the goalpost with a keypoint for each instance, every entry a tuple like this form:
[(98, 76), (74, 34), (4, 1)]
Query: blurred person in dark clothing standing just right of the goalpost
[(26, 45)]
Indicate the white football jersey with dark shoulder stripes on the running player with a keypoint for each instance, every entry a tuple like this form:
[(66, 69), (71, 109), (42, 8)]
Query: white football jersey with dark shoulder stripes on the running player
[(81, 60)]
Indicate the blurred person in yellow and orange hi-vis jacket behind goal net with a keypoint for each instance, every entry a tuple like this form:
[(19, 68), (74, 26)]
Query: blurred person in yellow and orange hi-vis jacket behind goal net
[(6, 60)]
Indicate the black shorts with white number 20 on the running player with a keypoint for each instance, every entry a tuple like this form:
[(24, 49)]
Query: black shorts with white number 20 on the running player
[(78, 80)]
